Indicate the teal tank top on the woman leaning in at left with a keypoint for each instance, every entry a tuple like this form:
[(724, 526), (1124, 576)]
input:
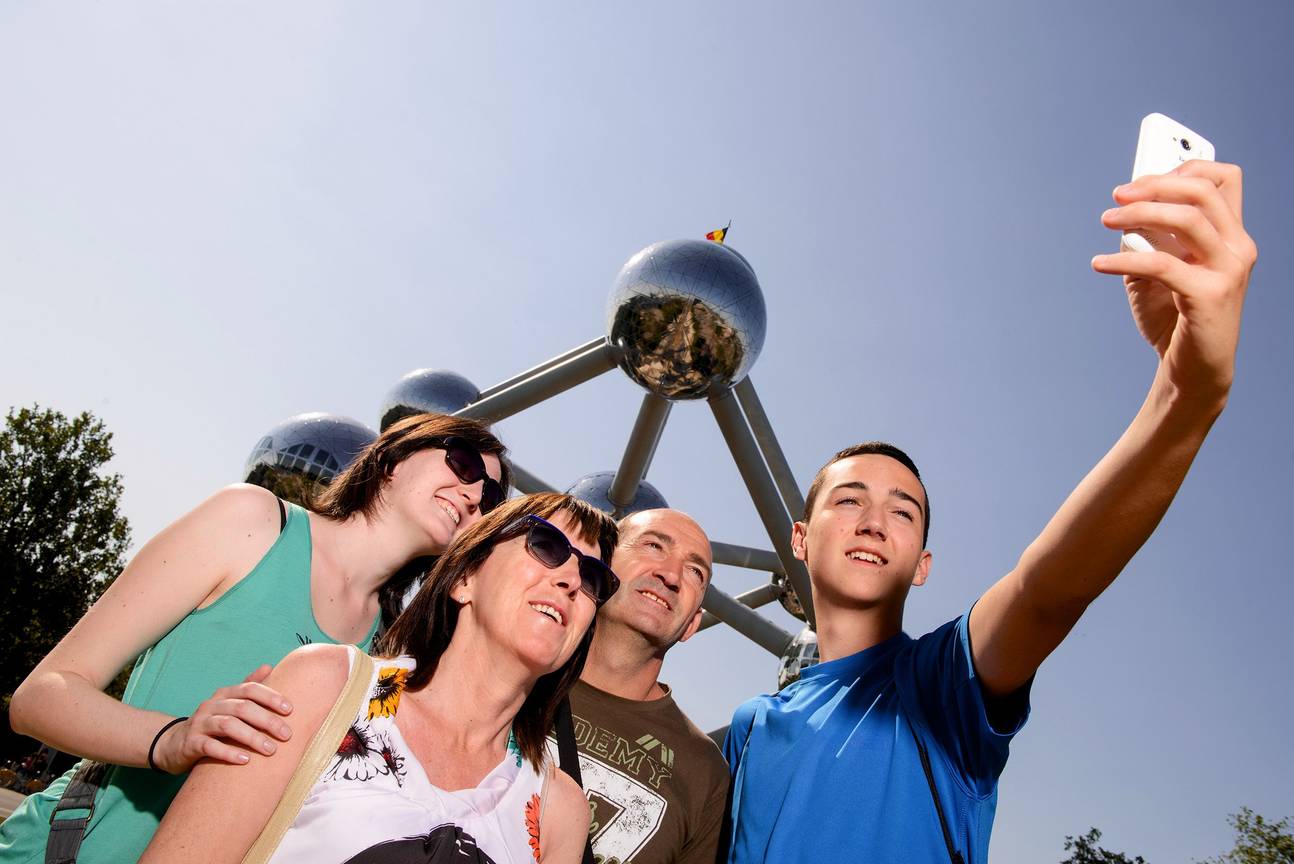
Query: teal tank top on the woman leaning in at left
[(258, 621)]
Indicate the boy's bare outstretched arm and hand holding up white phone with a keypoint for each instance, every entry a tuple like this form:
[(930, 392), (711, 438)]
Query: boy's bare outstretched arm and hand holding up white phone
[(1190, 312)]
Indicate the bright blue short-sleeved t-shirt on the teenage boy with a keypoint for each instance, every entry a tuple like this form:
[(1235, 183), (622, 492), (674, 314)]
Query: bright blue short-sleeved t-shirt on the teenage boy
[(828, 770)]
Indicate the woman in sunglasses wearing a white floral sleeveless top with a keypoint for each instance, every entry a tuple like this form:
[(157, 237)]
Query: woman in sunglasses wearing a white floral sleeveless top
[(446, 760)]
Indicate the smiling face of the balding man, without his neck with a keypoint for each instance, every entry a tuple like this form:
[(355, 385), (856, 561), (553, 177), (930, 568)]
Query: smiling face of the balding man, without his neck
[(664, 565)]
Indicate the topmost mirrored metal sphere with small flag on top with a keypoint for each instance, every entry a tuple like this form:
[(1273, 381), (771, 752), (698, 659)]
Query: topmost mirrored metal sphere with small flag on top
[(688, 318)]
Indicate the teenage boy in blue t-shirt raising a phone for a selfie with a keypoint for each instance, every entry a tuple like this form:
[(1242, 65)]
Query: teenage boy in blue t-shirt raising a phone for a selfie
[(891, 748)]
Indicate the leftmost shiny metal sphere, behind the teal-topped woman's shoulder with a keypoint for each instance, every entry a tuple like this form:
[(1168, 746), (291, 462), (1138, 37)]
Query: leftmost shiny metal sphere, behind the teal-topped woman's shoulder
[(302, 455)]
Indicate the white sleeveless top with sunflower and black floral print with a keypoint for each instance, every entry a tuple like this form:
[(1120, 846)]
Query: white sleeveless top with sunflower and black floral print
[(376, 805)]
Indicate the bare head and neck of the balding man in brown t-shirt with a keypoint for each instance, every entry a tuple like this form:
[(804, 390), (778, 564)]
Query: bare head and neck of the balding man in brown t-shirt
[(664, 565)]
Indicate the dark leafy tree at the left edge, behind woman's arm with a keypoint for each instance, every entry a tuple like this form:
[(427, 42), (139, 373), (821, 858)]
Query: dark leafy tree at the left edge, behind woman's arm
[(63, 539)]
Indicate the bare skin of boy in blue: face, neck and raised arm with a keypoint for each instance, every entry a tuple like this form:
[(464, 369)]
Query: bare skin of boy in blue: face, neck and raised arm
[(1189, 311)]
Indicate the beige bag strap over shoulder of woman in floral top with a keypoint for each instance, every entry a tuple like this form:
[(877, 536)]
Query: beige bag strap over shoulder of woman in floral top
[(323, 748)]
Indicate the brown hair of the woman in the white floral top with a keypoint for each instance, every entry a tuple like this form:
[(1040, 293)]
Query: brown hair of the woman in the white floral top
[(428, 625)]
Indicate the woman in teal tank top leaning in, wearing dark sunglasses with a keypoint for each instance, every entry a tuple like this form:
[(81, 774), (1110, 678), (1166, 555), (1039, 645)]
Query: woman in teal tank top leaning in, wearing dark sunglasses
[(231, 588)]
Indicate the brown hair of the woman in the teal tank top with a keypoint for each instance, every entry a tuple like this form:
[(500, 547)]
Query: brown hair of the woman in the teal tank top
[(359, 488)]
